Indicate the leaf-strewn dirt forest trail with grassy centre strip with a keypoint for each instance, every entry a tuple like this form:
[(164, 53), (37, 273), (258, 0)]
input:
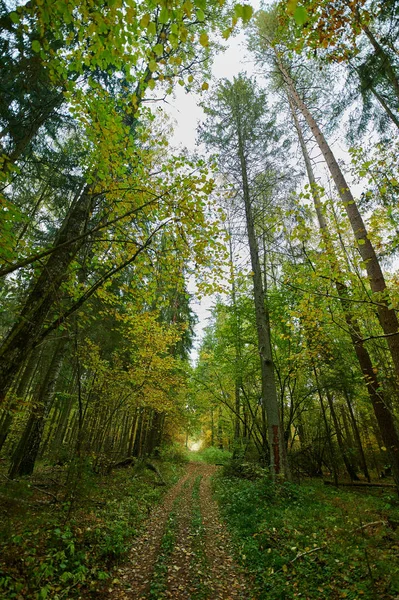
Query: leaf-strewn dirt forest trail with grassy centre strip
[(185, 552)]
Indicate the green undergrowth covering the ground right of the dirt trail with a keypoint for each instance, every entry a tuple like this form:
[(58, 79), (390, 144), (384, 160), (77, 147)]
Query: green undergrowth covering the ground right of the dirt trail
[(311, 541)]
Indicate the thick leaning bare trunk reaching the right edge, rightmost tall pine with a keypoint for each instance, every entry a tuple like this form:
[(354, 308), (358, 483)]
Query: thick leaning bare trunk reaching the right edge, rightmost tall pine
[(387, 317)]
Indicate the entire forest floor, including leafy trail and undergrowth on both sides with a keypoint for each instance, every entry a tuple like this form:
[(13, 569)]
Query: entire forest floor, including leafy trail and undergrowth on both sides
[(208, 534)]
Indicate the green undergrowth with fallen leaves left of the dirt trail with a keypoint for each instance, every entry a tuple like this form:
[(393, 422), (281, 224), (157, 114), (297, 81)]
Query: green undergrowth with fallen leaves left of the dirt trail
[(70, 548)]
